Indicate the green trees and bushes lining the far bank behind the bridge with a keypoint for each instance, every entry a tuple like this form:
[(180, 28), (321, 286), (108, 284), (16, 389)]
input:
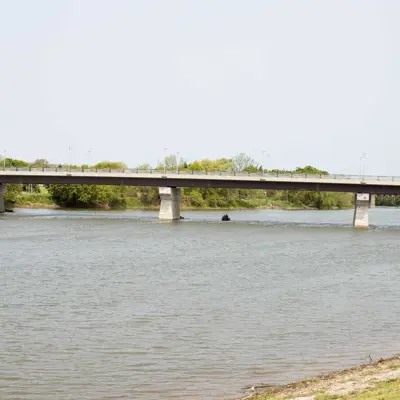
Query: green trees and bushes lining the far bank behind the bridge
[(147, 198)]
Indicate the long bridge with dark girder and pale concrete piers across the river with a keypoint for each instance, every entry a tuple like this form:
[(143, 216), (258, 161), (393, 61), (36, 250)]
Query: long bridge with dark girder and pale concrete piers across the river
[(364, 187)]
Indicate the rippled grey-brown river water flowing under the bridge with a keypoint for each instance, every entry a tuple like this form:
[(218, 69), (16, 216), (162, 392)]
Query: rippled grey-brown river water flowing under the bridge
[(104, 305)]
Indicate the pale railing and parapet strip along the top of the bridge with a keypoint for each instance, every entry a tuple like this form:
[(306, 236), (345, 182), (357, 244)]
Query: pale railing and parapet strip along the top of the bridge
[(159, 172)]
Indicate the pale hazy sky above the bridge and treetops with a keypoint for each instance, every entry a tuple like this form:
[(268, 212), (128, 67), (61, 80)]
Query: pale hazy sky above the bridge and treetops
[(311, 82)]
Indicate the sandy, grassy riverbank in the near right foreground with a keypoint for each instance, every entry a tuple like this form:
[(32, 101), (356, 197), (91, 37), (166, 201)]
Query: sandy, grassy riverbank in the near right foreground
[(379, 380)]
